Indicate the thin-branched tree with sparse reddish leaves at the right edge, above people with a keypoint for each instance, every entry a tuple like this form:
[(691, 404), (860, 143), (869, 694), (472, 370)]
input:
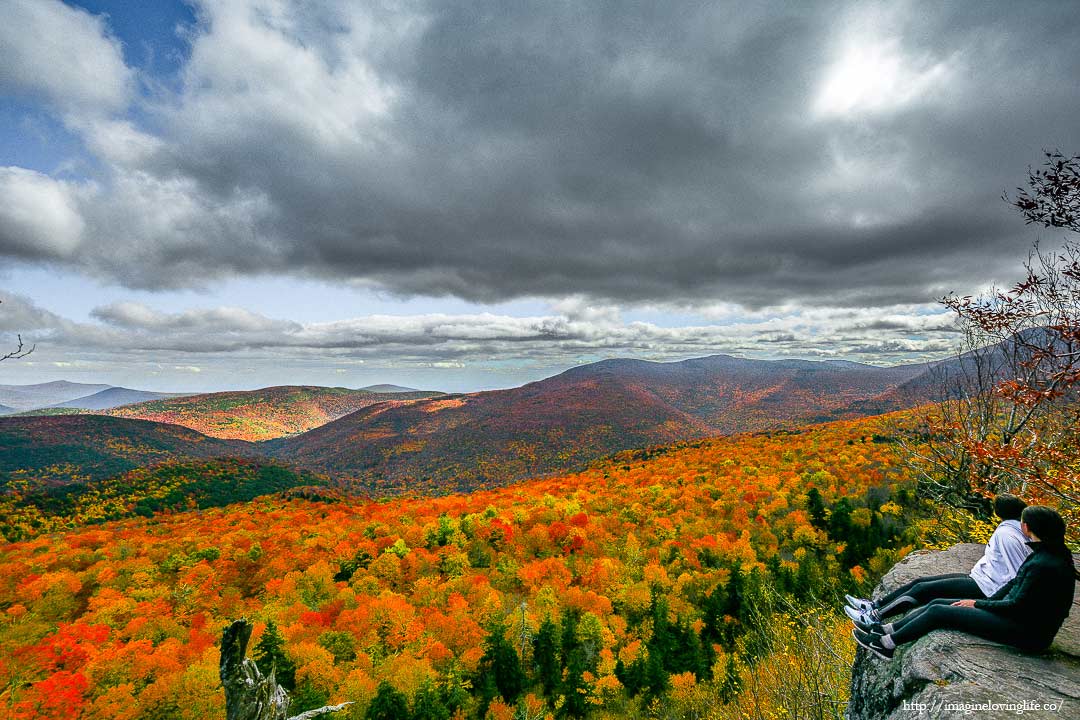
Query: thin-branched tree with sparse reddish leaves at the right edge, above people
[(1008, 417)]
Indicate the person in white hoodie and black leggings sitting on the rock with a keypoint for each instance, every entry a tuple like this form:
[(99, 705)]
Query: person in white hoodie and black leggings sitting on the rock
[(1006, 552)]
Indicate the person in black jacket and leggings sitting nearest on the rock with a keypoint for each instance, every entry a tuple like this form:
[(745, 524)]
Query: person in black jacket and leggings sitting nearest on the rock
[(1025, 614)]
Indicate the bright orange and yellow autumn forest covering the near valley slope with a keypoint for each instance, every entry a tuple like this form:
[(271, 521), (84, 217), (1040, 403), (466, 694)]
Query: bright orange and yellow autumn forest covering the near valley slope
[(668, 578)]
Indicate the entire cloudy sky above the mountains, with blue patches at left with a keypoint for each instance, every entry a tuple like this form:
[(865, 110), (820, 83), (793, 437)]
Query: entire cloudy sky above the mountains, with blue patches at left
[(218, 195)]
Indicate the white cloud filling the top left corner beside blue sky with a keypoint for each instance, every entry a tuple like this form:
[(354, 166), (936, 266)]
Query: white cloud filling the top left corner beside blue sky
[(64, 56)]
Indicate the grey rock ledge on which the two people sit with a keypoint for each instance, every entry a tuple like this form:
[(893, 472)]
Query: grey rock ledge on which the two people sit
[(951, 675)]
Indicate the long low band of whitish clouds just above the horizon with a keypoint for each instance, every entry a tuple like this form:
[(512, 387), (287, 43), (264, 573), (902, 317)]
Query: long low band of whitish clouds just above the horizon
[(128, 330)]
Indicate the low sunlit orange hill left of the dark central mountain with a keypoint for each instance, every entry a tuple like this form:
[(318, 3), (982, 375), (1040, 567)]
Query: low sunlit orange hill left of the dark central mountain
[(261, 415)]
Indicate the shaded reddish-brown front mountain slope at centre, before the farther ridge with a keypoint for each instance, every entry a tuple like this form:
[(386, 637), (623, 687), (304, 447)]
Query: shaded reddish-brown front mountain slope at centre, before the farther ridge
[(464, 442)]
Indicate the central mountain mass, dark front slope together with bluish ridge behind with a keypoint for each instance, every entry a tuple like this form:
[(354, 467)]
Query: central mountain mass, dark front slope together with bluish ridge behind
[(564, 423)]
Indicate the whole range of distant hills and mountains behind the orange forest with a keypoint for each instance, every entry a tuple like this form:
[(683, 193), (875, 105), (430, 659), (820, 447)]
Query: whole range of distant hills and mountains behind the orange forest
[(388, 441)]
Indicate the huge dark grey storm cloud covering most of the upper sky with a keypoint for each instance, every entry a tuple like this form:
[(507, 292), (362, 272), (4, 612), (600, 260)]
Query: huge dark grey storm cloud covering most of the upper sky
[(823, 154)]
